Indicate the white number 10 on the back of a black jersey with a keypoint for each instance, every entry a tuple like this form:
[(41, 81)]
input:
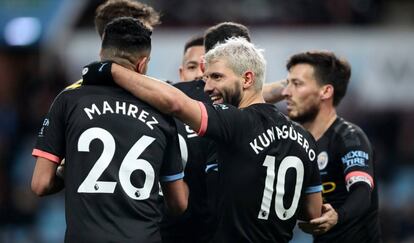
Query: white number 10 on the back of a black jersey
[(281, 212)]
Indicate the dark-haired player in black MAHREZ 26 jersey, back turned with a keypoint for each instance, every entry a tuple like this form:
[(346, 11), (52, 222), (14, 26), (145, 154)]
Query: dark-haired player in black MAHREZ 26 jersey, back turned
[(117, 149)]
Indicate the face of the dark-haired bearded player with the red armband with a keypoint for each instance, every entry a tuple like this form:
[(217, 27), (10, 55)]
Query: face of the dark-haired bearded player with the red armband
[(302, 93)]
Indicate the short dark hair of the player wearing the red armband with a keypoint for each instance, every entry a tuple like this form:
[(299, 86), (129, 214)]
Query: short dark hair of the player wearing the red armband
[(328, 68)]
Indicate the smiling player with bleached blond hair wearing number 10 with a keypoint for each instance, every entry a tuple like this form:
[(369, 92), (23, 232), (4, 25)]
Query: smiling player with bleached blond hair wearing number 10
[(267, 164)]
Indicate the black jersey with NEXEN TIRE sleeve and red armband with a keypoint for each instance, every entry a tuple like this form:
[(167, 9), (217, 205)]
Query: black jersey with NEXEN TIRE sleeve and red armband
[(345, 159)]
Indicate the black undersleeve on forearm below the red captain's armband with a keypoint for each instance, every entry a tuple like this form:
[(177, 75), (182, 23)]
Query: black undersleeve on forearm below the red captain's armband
[(356, 204)]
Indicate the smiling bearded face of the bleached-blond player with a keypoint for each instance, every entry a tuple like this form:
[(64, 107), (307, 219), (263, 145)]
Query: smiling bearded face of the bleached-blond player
[(222, 84)]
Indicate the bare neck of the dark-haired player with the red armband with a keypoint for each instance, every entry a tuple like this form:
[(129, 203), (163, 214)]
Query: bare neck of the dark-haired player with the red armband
[(323, 120)]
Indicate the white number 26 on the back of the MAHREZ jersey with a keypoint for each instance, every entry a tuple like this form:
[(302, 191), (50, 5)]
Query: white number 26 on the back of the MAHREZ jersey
[(128, 165)]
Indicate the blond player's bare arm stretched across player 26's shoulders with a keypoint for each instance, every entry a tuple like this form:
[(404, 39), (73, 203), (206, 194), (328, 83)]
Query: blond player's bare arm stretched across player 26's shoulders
[(162, 96)]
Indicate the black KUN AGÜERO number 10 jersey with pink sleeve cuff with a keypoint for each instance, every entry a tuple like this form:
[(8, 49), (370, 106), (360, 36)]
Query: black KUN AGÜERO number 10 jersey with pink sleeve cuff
[(266, 164)]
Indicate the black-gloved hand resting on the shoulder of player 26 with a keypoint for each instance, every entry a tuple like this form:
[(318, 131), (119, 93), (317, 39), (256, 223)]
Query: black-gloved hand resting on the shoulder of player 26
[(98, 73)]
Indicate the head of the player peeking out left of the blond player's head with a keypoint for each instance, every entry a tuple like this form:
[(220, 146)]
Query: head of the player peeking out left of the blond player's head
[(193, 53)]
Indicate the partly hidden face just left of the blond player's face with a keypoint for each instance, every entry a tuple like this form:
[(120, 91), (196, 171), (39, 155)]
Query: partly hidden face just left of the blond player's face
[(190, 69)]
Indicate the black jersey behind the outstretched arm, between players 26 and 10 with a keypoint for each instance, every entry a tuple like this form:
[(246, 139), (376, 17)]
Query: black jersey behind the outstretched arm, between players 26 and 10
[(195, 225)]
